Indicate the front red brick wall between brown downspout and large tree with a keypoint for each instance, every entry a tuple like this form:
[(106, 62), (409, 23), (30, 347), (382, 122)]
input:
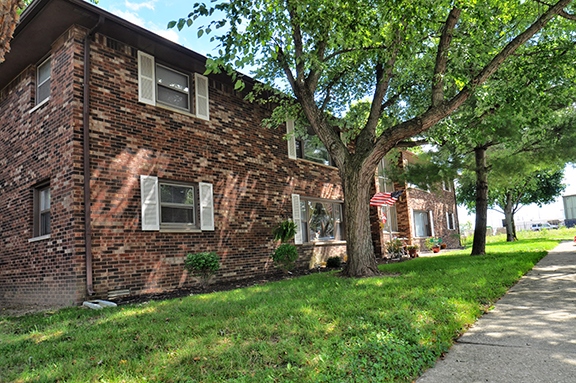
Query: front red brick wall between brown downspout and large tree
[(247, 164)]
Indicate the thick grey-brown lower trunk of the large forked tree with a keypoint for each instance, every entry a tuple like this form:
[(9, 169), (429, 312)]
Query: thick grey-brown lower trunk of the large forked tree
[(361, 258)]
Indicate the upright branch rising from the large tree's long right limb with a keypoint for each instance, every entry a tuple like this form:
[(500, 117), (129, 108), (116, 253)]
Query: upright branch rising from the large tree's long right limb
[(442, 56)]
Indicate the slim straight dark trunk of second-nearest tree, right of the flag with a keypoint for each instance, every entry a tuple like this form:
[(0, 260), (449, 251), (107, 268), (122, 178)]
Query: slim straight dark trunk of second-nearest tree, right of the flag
[(479, 243)]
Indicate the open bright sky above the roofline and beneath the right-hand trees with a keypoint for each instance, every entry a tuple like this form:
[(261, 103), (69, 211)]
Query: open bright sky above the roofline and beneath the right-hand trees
[(154, 15)]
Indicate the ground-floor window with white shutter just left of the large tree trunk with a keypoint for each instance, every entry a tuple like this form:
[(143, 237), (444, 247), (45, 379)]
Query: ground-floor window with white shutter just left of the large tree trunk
[(317, 220)]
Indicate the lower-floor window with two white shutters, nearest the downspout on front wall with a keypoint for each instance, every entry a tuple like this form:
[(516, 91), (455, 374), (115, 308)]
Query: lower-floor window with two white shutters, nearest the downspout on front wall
[(176, 206)]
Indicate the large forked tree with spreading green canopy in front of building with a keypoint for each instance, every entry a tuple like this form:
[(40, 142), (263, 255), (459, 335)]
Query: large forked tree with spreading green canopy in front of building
[(417, 62)]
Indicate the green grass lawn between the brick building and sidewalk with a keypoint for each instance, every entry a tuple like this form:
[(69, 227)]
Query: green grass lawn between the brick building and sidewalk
[(318, 328)]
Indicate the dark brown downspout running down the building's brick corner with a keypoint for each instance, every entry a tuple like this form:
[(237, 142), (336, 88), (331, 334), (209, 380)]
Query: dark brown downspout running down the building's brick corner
[(86, 154)]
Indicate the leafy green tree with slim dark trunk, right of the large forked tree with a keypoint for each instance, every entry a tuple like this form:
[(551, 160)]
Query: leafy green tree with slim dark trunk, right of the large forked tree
[(515, 113)]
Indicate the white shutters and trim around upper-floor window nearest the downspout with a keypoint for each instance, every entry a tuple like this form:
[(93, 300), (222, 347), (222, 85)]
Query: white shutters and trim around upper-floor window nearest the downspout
[(147, 88)]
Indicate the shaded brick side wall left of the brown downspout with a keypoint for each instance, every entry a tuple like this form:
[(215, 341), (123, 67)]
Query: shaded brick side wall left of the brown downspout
[(36, 146)]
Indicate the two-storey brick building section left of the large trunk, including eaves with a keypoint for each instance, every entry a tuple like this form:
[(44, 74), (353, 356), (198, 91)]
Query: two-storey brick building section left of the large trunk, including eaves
[(118, 157)]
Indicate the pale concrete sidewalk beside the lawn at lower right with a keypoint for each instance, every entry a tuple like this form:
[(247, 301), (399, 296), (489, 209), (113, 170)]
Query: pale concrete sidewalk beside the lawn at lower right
[(530, 336)]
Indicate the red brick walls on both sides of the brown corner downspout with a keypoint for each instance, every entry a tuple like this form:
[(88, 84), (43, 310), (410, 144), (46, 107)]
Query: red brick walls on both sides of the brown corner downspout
[(247, 164)]
